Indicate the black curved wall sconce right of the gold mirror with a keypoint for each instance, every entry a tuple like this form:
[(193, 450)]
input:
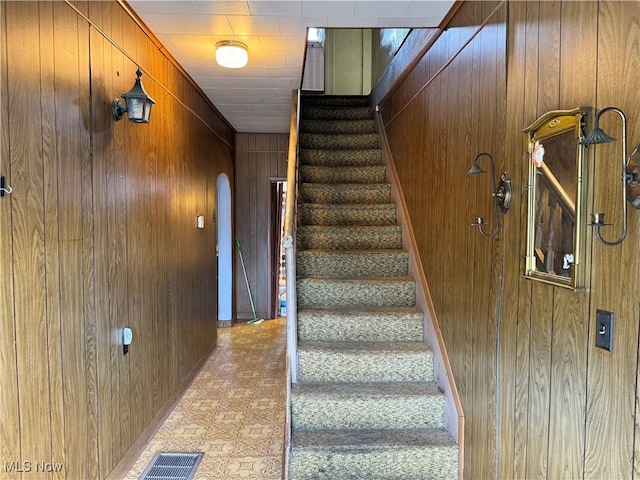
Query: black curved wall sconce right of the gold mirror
[(630, 175)]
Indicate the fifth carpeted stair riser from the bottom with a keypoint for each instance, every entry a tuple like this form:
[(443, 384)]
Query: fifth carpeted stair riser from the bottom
[(314, 292)]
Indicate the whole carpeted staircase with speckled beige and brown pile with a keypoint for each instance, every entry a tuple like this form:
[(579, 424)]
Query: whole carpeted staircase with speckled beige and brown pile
[(366, 405)]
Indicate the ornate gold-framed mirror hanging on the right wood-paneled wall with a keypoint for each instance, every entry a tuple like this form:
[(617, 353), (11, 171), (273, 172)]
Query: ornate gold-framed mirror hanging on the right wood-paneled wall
[(556, 195)]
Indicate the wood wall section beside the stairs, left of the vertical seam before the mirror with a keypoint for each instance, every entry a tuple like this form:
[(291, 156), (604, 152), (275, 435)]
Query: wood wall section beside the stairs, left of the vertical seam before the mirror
[(434, 143)]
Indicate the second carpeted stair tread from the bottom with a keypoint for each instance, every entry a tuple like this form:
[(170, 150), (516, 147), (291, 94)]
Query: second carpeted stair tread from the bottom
[(369, 390)]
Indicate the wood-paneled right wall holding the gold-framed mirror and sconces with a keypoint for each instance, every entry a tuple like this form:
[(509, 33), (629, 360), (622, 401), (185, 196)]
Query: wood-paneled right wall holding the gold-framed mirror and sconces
[(540, 400)]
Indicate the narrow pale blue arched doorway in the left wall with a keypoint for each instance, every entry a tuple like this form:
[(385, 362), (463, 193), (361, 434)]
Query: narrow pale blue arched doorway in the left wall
[(225, 250)]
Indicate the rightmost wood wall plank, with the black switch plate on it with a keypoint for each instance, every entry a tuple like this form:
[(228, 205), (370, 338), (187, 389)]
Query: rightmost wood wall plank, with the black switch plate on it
[(615, 278)]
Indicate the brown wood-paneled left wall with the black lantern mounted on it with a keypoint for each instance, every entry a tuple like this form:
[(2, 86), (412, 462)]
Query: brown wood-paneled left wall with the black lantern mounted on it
[(99, 234)]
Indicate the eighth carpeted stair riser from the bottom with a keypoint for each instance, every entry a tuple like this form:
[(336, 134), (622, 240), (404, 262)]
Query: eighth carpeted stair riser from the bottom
[(319, 214)]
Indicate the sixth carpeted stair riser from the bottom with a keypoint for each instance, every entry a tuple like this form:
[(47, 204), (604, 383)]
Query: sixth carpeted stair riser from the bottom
[(343, 265)]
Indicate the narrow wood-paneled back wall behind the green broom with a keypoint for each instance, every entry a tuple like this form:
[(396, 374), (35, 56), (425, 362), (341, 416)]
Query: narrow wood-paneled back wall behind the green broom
[(260, 159)]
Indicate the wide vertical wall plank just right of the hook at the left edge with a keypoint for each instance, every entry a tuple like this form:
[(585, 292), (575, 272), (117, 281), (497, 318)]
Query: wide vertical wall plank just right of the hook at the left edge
[(27, 219)]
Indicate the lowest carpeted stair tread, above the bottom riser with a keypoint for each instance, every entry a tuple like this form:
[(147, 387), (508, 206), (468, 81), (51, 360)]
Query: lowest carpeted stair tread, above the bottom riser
[(372, 439)]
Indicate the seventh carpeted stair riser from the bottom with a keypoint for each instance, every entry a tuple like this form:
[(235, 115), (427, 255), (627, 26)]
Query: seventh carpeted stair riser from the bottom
[(349, 238)]
